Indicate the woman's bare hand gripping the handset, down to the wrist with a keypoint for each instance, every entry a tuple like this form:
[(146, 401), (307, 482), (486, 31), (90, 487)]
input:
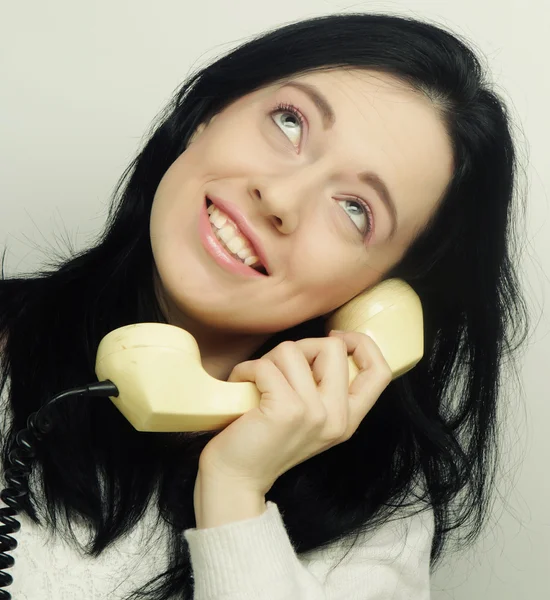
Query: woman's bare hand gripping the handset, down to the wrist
[(307, 406)]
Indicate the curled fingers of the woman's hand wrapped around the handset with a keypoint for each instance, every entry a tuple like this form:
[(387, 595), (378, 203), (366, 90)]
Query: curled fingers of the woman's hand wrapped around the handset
[(314, 372)]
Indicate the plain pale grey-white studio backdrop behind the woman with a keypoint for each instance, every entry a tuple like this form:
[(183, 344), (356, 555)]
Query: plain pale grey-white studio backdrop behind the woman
[(82, 81)]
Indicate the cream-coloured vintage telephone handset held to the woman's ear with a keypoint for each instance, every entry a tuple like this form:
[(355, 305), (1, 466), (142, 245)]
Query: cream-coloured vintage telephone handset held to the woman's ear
[(163, 386)]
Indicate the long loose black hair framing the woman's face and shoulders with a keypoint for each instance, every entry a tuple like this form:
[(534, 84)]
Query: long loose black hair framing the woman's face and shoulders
[(435, 425)]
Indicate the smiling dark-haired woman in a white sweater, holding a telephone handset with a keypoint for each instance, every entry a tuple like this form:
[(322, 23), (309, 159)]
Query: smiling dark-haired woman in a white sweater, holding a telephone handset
[(280, 130)]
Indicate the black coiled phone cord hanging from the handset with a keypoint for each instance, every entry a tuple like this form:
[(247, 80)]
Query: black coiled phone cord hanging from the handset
[(17, 476)]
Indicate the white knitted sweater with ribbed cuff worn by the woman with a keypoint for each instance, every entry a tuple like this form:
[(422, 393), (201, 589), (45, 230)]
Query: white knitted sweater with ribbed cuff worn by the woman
[(245, 560)]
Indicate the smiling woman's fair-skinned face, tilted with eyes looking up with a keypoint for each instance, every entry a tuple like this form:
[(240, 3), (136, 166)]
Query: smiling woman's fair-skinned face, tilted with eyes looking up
[(327, 231)]
